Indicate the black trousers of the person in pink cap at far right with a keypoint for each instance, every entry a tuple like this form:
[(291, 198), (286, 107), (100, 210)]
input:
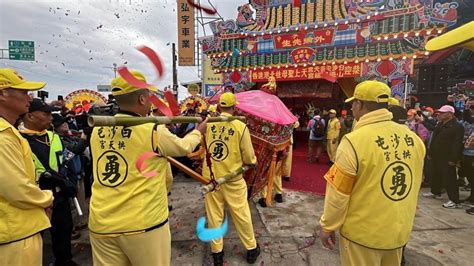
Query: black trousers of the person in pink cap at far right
[(444, 176)]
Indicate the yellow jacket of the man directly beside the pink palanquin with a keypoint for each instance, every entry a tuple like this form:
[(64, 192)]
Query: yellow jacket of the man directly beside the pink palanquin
[(230, 146)]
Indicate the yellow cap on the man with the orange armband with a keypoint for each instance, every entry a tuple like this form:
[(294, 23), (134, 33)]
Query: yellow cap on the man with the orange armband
[(371, 91)]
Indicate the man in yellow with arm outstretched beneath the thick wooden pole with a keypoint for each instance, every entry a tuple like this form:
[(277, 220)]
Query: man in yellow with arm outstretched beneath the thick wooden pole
[(128, 220)]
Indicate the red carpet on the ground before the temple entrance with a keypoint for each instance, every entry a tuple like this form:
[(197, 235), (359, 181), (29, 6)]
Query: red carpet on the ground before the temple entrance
[(305, 176)]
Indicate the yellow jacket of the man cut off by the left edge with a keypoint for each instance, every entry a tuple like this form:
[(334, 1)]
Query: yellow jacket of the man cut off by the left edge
[(22, 202)]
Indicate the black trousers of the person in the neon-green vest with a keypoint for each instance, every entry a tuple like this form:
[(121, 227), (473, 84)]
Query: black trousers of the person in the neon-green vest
[(61, 230)]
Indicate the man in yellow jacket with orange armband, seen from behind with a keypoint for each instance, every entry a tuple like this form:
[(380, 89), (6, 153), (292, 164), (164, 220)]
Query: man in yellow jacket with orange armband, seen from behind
[(372, 189)]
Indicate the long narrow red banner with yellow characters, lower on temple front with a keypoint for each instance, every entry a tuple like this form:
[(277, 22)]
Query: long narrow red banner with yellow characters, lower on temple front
[(304, 73)]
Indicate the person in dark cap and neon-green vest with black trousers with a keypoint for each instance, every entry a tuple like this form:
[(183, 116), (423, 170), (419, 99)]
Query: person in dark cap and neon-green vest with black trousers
[(47, 149)]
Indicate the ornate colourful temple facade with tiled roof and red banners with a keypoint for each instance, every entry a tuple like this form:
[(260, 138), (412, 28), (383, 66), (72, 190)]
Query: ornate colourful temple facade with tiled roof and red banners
[(318, 50)]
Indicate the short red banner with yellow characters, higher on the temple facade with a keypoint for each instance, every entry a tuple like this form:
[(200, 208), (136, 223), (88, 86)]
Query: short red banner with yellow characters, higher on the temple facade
[(304, 38)]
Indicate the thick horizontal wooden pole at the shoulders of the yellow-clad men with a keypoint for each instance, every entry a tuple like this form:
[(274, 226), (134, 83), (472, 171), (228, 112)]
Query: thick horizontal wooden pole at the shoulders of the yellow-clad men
[(98, 121)]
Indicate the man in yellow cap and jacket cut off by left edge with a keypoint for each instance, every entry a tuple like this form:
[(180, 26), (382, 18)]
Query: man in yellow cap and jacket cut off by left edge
[(22, 202)]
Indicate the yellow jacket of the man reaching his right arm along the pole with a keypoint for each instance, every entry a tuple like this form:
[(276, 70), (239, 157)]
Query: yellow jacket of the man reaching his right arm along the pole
[(123, 200)]
